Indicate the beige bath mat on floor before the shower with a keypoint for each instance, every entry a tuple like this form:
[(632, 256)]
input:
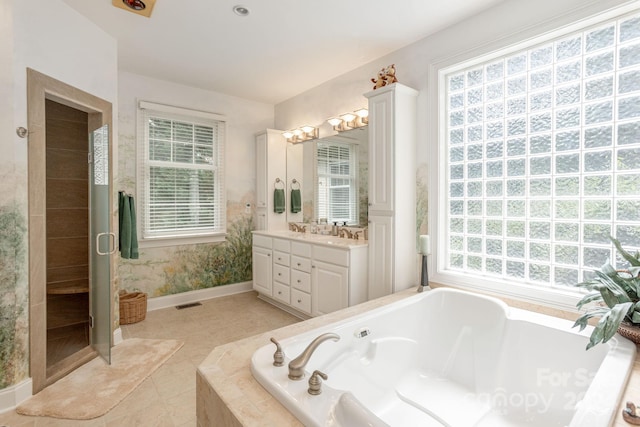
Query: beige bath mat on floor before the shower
[(94, 388)]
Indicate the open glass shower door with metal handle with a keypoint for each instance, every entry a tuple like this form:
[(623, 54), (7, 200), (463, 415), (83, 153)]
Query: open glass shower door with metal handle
[(102, 242)]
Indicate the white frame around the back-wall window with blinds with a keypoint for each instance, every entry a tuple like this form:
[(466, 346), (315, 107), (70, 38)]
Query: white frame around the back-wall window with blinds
[(142, 167)]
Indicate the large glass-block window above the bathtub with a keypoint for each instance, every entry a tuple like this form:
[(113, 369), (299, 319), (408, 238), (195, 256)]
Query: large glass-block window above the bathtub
[(541, 157)]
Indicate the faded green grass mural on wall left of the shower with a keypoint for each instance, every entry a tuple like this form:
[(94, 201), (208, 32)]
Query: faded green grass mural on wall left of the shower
[(12, 251)]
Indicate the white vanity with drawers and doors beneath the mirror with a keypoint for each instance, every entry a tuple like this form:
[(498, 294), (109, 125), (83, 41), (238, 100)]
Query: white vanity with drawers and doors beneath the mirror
[(309, 274)]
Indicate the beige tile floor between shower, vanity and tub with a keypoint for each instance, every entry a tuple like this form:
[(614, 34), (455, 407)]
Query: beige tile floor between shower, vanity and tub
[(168, 396)]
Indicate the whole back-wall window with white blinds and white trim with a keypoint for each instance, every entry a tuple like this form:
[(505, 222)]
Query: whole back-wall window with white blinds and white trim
[(181, 174)]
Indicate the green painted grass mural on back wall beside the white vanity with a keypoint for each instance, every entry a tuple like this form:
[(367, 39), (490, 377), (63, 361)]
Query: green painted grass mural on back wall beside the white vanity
[(207, 266)]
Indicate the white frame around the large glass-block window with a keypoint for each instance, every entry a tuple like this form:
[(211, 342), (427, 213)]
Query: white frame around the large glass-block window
[(559, 297)]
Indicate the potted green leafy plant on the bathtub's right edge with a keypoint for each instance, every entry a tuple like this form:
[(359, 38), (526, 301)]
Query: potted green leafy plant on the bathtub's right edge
[(614, 297)]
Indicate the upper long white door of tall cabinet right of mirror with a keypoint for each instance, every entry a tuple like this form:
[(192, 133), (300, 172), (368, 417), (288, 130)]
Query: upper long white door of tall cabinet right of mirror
[(381, 152)]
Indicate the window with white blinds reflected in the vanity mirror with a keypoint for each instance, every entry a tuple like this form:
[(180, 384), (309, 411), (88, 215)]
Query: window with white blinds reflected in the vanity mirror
[(337, 186)]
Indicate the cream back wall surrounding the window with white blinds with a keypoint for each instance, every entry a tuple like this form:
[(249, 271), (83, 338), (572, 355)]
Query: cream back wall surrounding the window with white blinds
[(244, 119)]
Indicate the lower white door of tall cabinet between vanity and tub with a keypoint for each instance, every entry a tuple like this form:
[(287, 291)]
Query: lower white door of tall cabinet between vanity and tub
[(380, 256)]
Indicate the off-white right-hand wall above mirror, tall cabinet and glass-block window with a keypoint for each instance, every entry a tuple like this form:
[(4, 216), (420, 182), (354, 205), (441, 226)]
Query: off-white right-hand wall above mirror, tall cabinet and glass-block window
[(507, 22)]
